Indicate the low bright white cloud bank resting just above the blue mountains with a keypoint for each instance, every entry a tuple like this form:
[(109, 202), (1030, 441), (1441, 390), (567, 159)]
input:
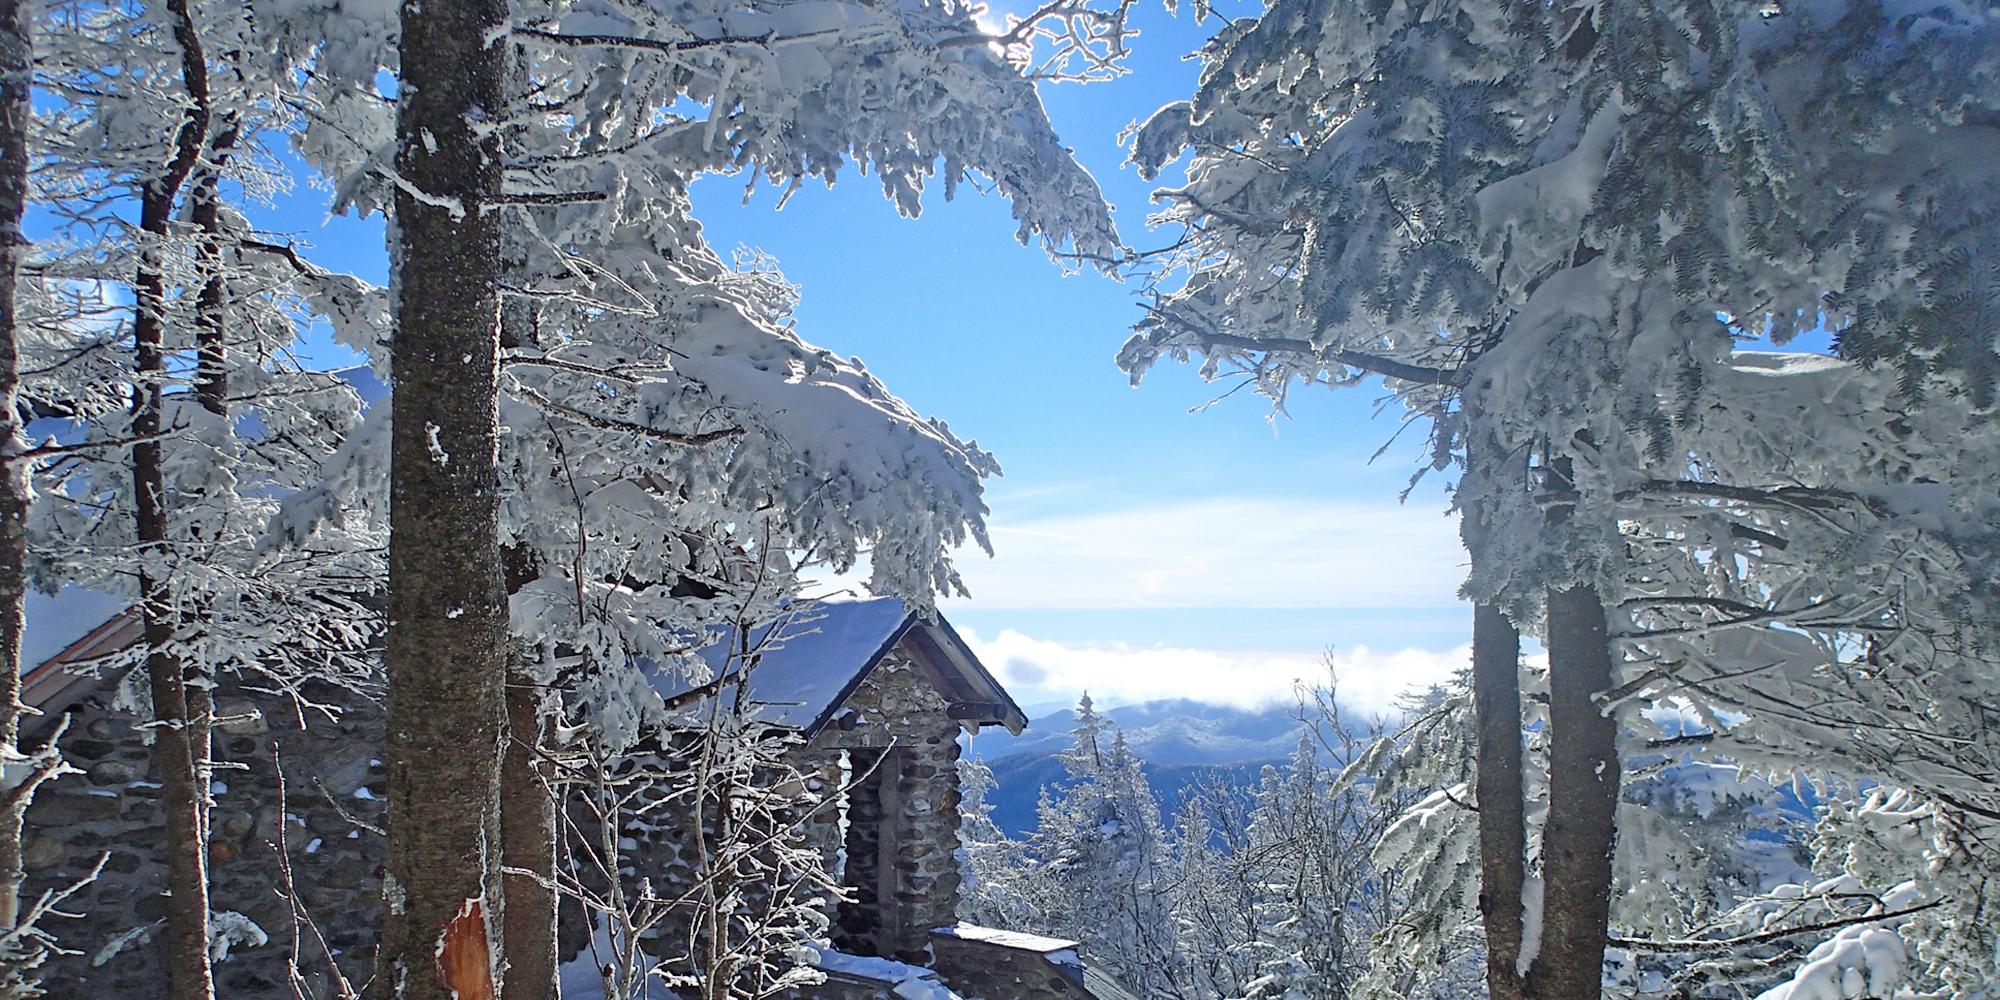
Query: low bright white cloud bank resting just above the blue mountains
[(1041, 671)]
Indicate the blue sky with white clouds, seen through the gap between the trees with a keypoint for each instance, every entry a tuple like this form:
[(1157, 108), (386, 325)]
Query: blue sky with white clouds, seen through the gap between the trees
[(1141, 551)]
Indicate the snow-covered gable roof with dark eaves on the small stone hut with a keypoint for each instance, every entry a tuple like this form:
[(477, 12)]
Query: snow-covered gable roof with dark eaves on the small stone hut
[(805, 669)]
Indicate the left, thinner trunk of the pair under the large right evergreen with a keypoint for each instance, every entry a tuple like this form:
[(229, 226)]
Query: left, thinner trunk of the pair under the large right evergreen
[(1501, 795)]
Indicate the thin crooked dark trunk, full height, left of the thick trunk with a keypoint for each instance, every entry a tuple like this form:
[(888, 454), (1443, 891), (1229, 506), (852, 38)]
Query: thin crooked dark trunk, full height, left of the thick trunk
[(173, 733)]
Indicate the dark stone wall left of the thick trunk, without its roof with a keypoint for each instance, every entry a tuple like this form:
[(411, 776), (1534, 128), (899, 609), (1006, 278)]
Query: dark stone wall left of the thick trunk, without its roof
[(113, 811)]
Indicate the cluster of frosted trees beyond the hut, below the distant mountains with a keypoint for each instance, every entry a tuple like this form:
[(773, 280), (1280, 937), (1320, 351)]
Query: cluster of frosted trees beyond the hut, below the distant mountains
[(1269, 891)]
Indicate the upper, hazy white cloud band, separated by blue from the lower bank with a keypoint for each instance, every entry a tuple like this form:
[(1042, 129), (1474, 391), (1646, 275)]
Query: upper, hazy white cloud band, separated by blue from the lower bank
[(1223, 553)]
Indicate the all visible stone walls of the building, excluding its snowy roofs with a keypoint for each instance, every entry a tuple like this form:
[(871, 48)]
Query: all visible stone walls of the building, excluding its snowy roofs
[(909, 835)]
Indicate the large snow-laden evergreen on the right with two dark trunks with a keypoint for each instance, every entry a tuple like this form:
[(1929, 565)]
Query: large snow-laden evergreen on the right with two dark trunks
[(1543, 227)]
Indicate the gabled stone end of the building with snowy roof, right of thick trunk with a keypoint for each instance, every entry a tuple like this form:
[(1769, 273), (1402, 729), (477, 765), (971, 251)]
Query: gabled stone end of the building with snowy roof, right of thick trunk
[(881, 695)]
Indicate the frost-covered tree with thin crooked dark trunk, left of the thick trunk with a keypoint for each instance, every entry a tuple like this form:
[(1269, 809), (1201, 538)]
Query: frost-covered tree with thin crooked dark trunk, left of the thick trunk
[(161, 329)]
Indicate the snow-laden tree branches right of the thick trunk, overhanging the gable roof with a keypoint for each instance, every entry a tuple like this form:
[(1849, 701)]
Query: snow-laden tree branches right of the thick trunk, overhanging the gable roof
[(671, 441)]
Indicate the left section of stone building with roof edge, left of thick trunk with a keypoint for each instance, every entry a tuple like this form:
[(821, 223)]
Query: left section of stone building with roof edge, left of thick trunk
[(327, 823)]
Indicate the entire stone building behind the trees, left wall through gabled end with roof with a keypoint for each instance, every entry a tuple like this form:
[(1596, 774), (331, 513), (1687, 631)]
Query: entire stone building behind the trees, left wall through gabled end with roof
[(877, 693)]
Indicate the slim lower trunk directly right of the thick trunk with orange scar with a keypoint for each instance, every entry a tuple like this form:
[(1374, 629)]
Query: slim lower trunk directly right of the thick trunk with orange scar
[(529, 843)]
